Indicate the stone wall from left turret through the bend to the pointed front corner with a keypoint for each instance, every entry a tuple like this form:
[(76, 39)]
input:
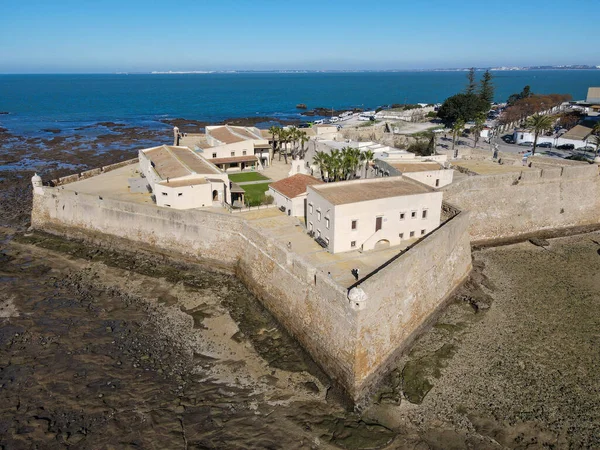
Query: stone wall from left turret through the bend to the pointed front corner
[(309, 304)]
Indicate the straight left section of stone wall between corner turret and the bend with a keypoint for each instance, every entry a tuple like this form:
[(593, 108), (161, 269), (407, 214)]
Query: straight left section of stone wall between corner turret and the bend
[(196, 234)]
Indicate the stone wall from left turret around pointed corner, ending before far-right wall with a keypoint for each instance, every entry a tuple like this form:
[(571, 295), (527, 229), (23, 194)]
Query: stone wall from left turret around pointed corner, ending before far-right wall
[(351, 340)]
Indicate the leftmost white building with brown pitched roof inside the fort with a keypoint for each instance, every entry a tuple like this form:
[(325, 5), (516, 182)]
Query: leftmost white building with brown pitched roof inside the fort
[(182, 179)]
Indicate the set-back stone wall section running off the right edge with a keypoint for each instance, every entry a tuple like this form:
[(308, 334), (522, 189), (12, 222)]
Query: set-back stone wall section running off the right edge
[(509, 205)]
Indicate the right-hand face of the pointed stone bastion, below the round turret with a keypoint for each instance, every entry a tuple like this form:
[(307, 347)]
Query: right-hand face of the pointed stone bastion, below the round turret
[(404, 296)]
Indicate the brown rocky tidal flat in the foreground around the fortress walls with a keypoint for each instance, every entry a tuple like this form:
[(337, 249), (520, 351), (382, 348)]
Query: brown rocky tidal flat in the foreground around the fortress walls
[(116, 349)]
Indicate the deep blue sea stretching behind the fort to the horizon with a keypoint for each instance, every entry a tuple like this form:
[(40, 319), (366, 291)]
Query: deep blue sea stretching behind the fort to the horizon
[(66, 102)]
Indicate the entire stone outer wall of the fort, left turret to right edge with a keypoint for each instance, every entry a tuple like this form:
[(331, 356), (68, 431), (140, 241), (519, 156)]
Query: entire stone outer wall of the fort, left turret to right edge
[(353, 333)]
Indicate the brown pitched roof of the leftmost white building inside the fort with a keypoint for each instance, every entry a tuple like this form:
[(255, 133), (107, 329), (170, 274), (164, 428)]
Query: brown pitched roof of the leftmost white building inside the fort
[(176, 162)]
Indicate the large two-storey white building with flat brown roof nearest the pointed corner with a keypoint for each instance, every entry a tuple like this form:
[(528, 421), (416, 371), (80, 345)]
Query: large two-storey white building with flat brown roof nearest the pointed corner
[(371, 214)]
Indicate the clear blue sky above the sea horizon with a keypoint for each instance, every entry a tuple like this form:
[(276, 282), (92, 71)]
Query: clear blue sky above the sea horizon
[(99, 36)]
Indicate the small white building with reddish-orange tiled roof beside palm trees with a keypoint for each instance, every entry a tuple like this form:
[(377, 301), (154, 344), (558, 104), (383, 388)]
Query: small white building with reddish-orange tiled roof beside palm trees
[(290, 193)]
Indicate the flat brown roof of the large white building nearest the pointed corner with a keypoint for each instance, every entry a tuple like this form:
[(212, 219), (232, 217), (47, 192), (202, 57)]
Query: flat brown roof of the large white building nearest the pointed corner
[(356, 191)]
